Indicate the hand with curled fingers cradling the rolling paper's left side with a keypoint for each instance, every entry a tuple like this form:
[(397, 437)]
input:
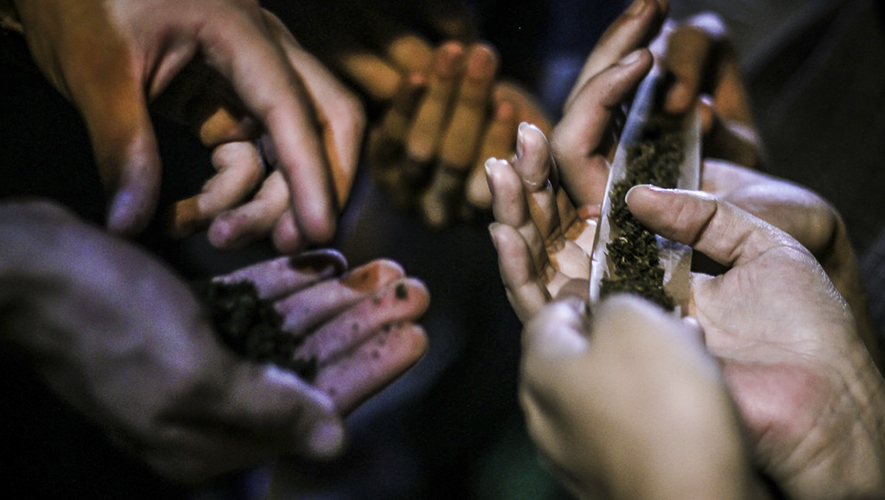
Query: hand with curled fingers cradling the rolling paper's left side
[(543, 238)]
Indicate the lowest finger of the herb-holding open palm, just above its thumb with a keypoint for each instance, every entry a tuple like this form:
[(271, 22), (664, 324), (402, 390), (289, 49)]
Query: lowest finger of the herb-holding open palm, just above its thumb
[(361, 373)]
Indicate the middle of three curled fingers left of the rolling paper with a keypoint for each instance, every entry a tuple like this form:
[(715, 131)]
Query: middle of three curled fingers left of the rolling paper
[(510, 207)]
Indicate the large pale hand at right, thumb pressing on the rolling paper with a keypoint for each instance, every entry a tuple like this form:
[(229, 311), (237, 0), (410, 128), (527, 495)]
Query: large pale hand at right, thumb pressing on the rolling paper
[(788, 344)]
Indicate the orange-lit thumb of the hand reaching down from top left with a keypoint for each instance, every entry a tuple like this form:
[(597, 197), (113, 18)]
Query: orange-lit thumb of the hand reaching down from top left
[(125, 150)]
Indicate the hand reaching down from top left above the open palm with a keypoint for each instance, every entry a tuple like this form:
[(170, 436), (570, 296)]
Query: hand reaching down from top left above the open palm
[(111, 59)]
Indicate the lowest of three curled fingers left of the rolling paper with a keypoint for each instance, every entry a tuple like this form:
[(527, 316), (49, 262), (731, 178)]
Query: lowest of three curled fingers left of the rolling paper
[(525, 289)]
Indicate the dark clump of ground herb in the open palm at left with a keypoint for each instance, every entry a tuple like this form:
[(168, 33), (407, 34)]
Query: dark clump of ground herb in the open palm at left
[(251, 326)]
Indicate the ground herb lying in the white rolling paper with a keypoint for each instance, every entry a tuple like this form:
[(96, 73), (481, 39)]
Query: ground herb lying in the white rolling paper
[(654, 158)]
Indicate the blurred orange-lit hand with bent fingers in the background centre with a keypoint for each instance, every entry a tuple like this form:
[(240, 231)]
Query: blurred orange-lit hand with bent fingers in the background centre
[(427, 151)]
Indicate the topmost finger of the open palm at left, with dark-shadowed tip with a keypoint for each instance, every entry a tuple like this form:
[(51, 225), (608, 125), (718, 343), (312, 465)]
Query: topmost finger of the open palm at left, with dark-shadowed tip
[(286, 275)]
